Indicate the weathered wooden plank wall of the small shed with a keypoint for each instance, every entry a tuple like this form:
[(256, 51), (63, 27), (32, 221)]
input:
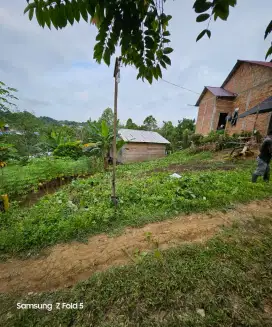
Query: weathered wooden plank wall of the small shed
[(137, 152)]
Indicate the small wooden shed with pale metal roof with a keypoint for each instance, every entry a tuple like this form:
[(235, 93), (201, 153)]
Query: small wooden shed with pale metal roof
[(141, 146)]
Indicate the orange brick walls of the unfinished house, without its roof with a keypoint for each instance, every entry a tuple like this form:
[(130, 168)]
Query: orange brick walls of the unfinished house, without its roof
[(253, 83)]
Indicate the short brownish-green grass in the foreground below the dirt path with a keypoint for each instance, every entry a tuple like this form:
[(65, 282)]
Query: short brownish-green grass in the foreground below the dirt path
[(229, 279)]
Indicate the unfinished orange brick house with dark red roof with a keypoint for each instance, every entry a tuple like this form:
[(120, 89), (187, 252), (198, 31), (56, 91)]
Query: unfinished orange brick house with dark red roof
[(248, 85)]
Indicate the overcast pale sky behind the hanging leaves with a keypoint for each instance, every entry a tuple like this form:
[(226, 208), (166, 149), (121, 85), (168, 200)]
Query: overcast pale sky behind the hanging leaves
[(56, 75)]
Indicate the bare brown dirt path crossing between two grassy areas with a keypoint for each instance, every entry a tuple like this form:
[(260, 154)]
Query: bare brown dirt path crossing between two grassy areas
[(67, 264)]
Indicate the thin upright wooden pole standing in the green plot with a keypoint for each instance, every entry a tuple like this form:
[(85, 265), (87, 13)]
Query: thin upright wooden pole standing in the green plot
[(116, 76)]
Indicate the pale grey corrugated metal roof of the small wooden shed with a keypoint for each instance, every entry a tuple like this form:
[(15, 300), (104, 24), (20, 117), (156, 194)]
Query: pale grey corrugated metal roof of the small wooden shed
[(138, 136)]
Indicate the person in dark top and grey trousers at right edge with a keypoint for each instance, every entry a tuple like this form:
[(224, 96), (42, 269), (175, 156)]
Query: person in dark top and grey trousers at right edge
[(263, 160)]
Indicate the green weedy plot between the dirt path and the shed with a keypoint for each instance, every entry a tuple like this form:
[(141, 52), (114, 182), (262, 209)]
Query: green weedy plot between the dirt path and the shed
[(84, 208)]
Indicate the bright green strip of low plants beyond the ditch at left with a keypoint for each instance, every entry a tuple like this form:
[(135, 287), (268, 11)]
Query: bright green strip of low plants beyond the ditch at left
[(19, 180)]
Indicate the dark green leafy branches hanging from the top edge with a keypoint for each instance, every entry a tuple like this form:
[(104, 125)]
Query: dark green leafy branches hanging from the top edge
[(139, 27)]
